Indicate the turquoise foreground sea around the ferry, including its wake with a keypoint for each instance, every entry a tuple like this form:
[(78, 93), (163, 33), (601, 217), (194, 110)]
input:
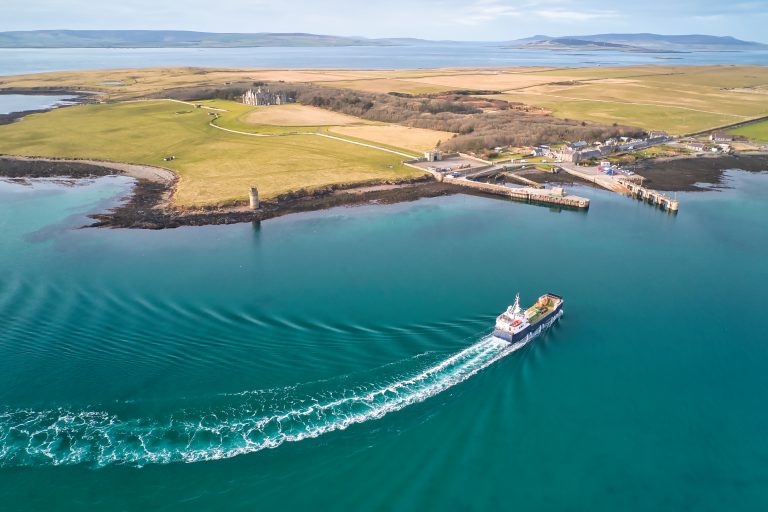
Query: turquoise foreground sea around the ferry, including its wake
[(331, 337)]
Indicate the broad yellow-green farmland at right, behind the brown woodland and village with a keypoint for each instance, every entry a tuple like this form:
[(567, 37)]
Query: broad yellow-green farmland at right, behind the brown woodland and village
[(675, 99)]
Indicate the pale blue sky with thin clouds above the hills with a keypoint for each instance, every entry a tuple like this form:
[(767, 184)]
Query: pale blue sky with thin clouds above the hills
[(474, 20)]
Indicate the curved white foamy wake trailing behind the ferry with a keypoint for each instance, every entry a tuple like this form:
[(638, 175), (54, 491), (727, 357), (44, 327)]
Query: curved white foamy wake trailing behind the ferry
[(243, 423)]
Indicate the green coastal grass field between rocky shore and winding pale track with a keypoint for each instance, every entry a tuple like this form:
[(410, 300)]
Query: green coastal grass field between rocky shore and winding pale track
[(215, 167)]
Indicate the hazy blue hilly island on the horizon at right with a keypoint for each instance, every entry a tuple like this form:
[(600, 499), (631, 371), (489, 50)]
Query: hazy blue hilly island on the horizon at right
[(640, 42)]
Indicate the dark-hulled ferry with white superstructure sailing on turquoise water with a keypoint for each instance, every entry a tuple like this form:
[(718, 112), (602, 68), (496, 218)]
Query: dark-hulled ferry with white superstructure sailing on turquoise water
[(515, 325)]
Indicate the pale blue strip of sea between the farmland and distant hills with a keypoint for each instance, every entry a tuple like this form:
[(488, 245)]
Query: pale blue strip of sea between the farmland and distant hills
[(19, 61)]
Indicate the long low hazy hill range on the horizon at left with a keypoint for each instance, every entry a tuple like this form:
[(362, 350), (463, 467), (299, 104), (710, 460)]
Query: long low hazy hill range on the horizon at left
[(174, 39)]
